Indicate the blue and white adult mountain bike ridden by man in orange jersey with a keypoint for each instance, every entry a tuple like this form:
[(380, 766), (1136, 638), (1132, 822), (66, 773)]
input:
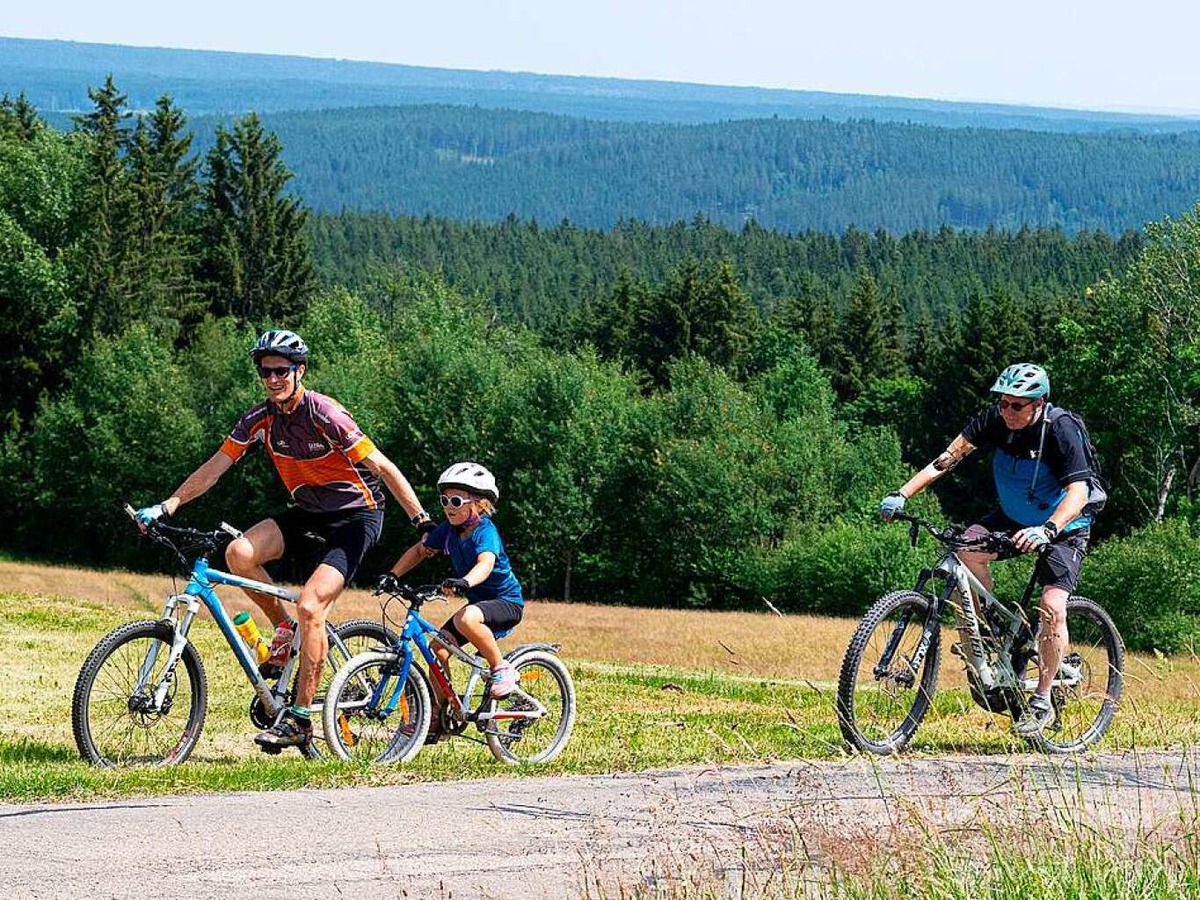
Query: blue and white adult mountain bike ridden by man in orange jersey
[(142, 694)]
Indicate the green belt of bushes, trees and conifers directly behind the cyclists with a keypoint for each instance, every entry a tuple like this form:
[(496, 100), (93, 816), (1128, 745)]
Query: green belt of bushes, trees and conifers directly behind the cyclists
[(693, 429)]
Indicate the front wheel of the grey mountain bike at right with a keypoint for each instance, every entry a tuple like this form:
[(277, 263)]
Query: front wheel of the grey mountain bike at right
[(883, 721)]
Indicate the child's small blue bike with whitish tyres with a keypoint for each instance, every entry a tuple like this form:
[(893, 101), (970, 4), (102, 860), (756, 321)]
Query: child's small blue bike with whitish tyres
[(379, 706)]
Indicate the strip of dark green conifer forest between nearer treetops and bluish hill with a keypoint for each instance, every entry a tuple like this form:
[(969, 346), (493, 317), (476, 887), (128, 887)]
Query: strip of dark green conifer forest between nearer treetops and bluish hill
[(542, 277)]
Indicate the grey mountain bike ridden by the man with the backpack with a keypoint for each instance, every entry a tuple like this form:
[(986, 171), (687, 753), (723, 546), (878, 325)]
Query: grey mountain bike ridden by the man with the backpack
[(890, 674)]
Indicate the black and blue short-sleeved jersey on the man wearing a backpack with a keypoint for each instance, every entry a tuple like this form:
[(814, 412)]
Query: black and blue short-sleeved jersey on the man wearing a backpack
[(1016, 461)]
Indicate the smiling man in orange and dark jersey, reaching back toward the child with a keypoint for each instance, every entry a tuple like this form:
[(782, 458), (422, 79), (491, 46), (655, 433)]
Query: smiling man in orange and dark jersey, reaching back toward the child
[(333, 472)]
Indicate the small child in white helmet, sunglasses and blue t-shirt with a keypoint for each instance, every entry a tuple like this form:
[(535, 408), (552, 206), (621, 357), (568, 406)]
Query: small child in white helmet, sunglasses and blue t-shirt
[(482, 569)]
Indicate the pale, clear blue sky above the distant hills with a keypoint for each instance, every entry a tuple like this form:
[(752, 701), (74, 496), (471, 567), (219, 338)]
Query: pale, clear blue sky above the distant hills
[(1097, 56)]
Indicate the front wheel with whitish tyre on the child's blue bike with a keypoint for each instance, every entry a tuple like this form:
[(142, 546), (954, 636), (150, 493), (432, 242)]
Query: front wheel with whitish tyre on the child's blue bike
[(353, 729)]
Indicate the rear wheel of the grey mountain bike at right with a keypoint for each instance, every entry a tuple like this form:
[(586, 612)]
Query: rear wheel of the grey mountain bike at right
[(1085, 712)]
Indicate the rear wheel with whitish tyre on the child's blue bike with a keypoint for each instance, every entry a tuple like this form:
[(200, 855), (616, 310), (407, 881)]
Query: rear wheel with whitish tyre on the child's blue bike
[(517, 742)]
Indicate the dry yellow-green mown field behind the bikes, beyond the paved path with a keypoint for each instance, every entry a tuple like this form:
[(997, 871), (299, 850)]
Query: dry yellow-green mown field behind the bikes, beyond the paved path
[(657, 688)]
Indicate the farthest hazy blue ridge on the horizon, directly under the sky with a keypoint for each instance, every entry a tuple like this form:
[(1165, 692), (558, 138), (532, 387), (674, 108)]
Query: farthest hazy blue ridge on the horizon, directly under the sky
[(56, 76)]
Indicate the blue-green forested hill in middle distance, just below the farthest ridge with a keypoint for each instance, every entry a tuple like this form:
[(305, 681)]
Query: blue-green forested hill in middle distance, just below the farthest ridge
[(471, 164)]
